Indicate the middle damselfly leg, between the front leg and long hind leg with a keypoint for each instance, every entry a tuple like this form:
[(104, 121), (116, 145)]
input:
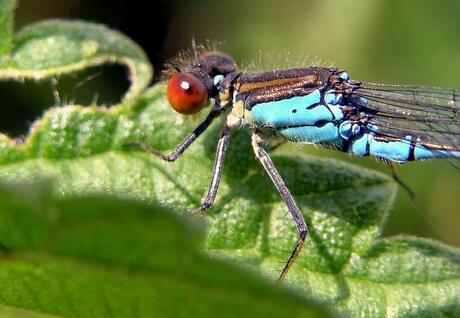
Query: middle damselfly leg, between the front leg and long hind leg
[(216, 172)]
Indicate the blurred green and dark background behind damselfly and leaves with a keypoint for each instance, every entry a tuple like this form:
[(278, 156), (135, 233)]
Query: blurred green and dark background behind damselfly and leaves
[(398, 42)]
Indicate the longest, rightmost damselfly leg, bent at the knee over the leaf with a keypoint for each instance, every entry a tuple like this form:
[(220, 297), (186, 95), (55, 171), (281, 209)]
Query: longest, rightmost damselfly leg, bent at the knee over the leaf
[(297, 216)]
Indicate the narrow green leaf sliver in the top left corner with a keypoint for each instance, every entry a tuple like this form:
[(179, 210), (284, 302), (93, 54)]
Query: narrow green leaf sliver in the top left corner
[(6, 27)]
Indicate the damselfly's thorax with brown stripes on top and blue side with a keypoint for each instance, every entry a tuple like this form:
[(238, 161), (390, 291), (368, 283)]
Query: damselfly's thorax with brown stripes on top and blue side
[(260, 99)]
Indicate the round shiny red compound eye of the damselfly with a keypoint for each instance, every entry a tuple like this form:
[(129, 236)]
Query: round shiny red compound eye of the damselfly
[(186, 93)]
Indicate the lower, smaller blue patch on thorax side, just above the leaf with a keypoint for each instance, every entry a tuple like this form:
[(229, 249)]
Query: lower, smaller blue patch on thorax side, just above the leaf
[(311, 134)]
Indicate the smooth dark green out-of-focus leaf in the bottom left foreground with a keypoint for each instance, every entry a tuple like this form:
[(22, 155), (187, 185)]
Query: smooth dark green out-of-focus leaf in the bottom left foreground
[(105, 257)]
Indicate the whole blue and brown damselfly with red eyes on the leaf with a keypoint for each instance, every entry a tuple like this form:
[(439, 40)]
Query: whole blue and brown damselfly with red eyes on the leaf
[(312, 105)]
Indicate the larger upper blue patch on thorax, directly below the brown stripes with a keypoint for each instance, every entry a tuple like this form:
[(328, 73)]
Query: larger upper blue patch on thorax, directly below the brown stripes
[(294, 112)]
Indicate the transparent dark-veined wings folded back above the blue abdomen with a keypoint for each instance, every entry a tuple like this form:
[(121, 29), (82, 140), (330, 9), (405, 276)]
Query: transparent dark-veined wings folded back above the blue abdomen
[(428, 114)]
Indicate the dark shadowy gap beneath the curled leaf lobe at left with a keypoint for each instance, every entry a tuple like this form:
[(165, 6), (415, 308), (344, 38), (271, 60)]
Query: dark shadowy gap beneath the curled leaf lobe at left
[(24, 102)]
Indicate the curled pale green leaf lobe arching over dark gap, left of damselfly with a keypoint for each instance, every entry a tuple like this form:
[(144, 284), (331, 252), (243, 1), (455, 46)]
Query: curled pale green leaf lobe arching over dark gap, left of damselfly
[(55, 47)]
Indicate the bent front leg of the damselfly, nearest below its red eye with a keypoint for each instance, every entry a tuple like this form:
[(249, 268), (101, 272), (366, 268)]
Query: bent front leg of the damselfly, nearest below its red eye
[(179, 150)]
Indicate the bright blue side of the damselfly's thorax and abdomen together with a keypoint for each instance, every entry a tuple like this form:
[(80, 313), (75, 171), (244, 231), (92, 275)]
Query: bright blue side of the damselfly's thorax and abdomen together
[(317, 118)]
